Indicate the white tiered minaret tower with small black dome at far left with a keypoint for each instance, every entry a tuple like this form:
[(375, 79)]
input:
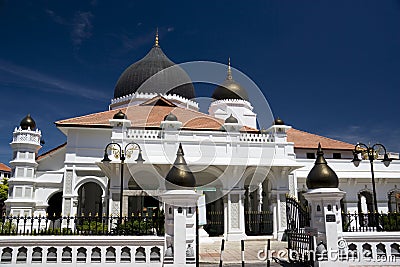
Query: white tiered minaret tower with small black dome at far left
[(25, 145)]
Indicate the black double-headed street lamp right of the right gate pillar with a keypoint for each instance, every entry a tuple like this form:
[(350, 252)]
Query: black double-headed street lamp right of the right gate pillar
[(372, 153)]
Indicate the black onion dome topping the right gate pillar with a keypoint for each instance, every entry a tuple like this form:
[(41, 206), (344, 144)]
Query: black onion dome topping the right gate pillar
[(321, 175)]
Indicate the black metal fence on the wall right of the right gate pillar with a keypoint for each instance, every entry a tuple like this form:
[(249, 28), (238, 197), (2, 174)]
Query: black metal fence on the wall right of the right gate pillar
[(370, 222)]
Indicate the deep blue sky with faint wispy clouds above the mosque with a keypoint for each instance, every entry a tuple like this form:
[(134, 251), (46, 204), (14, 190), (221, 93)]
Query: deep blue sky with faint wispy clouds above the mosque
[(327, 67)]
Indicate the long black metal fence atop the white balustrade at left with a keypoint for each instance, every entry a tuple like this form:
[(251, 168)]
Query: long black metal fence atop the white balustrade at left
[(136, 224)]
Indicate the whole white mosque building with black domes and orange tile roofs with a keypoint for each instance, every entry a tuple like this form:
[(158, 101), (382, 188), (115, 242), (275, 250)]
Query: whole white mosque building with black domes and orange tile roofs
[(240, 169)]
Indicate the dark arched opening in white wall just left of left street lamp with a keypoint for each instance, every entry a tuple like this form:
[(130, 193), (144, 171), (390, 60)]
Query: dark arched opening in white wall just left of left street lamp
[(89, 199)]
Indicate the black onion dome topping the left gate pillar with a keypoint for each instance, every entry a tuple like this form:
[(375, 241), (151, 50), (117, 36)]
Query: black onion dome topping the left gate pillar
[(180, 175)]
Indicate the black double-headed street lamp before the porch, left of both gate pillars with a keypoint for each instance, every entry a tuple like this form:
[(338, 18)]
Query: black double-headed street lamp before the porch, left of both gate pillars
[(122, 153)]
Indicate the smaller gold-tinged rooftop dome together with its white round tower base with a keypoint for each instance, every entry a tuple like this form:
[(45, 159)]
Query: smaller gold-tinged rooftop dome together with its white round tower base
[(230, 98)]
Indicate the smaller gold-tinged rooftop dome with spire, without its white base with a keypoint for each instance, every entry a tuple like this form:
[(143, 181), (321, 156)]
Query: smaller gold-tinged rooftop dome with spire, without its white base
[(230, 89)]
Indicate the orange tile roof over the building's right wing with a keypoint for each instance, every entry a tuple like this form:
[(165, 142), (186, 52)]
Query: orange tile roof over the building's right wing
[(308, 140)]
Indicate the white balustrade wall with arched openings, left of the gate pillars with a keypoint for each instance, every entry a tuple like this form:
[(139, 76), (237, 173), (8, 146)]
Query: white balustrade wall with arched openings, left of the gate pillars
[(72, 250)]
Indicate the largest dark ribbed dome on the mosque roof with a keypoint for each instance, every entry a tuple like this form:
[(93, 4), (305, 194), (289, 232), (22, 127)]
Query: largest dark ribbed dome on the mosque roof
[(154, 62)]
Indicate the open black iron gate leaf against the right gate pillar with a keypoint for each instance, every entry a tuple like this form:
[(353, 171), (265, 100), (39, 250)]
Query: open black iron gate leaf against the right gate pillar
[(300, 244)]
